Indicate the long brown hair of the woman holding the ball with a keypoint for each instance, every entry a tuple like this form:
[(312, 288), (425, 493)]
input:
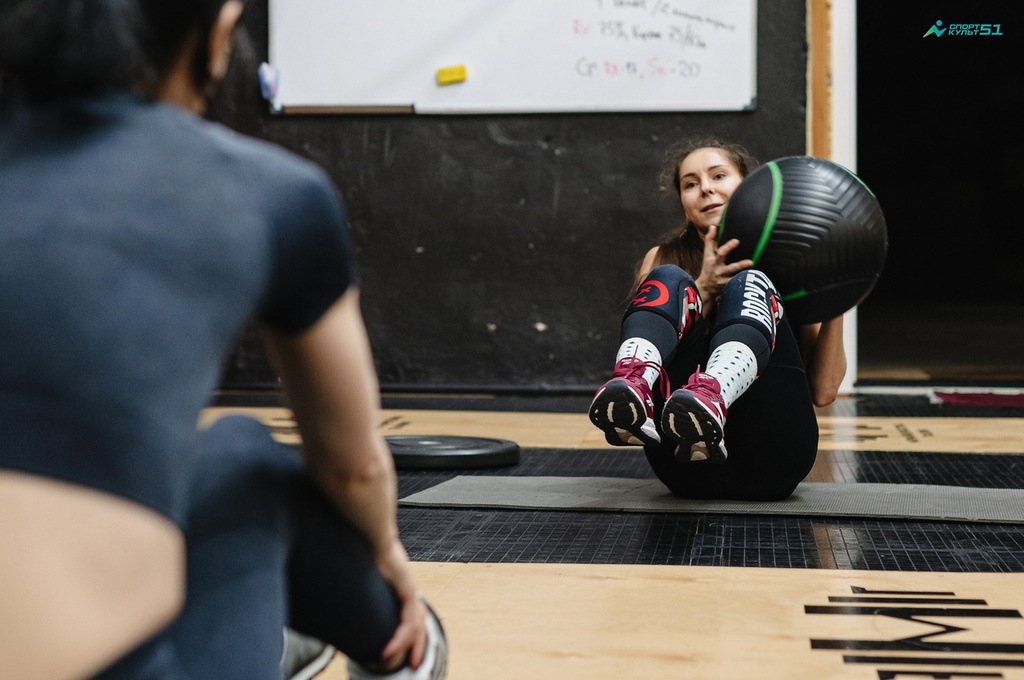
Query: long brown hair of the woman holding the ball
[(682, 246)]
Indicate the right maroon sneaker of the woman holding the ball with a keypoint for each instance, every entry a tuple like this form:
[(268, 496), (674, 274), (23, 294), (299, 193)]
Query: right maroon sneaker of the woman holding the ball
[(695, 418)]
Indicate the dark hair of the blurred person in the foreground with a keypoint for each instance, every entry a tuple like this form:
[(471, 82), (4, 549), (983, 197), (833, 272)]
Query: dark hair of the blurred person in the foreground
[(55, 50)]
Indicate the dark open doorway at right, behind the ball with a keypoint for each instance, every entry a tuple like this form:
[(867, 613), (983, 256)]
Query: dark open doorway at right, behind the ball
[(942, 144)]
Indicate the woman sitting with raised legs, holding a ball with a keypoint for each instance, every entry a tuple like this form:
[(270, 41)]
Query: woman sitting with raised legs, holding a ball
[(708, 357)]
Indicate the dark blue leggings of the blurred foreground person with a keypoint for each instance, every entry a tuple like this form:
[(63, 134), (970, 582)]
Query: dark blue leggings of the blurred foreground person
[(267, 549)]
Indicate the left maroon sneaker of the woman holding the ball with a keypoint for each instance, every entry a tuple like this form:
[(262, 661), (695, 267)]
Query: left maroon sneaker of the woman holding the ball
[(624, 407)]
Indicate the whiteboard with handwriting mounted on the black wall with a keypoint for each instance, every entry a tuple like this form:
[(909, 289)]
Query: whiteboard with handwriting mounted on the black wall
[(519, 56)]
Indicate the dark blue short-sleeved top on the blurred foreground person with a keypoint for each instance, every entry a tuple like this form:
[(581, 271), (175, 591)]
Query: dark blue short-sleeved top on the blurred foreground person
[(136, 242)]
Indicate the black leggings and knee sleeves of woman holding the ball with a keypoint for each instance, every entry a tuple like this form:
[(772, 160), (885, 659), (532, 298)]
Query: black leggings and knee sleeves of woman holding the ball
[(772, 432)]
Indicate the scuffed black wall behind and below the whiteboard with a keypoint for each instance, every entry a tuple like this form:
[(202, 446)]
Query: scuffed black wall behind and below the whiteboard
[(496, 251)]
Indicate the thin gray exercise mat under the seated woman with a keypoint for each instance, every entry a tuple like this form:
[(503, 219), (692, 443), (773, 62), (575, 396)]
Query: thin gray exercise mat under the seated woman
[(810, 499)]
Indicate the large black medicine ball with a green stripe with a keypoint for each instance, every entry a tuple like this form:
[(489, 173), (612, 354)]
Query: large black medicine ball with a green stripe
[(815, 229)]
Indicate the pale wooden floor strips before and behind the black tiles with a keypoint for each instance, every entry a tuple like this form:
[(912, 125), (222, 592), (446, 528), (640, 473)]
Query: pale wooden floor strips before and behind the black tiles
[(594, 621)]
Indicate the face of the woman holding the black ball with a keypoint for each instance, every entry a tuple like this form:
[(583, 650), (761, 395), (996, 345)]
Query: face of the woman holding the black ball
[(707, 180)]
